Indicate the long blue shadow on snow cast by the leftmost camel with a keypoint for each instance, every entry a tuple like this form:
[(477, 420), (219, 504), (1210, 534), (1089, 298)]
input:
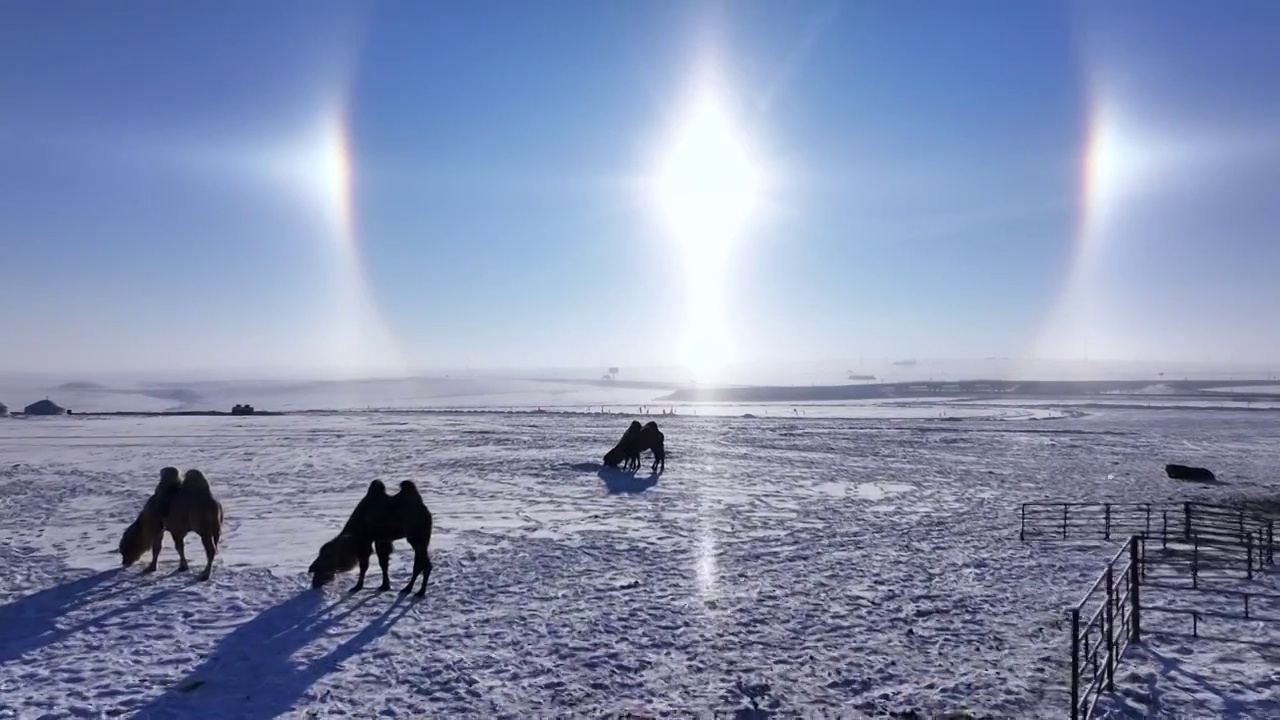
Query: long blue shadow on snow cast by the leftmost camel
[(42, 619)]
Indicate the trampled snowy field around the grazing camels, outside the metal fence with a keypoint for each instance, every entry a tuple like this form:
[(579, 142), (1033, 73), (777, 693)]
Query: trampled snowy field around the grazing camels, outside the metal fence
[(796, 564)]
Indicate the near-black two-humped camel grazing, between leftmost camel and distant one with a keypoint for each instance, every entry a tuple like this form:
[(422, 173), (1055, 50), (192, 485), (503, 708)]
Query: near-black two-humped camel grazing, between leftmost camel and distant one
[(378, 521)]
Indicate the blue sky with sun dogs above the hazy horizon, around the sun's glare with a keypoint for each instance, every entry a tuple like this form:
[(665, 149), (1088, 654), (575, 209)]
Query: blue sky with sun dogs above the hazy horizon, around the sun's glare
[(956, 180)]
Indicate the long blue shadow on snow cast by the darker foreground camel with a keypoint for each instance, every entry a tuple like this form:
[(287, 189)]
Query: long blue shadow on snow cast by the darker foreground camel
[(253, 673)]
